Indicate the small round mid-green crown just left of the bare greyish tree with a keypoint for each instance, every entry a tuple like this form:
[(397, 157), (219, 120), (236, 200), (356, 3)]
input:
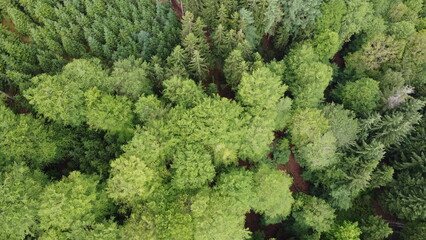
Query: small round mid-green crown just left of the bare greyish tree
[(361, 96)]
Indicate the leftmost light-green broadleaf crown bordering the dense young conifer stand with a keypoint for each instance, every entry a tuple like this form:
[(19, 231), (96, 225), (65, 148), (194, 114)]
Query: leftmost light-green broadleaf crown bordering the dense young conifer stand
[(61, 97)]
